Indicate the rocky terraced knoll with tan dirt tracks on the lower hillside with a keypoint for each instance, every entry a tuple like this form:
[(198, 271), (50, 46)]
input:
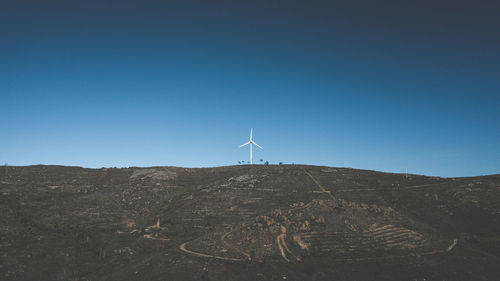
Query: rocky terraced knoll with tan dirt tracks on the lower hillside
[(322, 227)]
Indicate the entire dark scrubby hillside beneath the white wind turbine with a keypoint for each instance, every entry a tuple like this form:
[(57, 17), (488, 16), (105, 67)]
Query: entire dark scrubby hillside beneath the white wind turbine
[(285, 222)]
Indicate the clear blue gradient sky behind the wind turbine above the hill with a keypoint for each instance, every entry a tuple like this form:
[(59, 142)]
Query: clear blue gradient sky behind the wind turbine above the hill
[(381, 85)]
